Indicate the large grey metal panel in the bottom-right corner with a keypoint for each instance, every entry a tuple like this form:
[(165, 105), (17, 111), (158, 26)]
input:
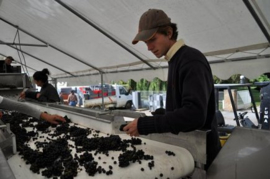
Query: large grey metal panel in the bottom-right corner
[(244, 156)]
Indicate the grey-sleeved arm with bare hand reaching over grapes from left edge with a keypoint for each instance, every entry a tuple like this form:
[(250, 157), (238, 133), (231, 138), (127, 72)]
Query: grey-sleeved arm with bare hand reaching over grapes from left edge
[(8, 104)]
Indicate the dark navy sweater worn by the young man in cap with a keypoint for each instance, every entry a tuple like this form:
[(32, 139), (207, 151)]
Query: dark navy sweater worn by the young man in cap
[(190, 100)]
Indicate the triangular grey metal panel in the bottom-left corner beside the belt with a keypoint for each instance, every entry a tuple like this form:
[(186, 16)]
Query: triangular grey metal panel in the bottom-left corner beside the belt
[(5, 170)]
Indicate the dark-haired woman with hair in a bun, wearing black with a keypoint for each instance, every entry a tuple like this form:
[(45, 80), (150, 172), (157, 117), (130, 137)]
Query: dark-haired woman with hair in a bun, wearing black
[(47, 93)]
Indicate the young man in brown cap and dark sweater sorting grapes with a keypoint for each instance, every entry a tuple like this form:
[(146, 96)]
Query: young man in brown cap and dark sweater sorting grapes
[(190, 103)]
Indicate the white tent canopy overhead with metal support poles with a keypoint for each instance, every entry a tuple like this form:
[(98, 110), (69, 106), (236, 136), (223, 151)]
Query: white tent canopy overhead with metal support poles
[(79, 40)]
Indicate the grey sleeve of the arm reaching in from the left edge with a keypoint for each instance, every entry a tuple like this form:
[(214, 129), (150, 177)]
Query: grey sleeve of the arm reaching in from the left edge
[(18, 106)]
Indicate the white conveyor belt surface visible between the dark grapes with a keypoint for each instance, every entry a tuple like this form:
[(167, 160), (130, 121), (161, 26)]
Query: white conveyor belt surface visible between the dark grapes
[(182, 162)]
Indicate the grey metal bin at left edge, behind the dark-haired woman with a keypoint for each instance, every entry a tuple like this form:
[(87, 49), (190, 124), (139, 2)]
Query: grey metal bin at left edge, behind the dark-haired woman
[(14, 80)]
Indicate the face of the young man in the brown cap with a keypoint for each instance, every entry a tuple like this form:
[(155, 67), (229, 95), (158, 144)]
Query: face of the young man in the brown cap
[(159, 44)]
